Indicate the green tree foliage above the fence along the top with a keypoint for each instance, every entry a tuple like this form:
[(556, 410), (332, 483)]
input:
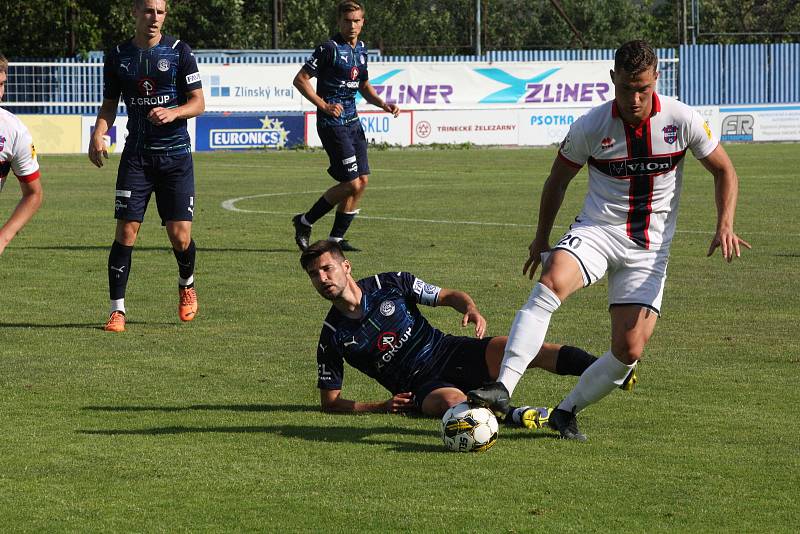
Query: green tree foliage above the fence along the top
[(52, 28)]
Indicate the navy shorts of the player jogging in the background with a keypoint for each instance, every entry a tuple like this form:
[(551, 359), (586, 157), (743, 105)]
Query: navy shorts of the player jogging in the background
[(347, 150)]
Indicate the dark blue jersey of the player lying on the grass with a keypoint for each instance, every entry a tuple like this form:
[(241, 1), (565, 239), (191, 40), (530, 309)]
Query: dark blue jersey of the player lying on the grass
[(392, 342)]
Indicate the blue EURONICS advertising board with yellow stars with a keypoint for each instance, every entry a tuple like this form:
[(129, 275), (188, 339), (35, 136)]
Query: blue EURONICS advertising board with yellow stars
[(237, 131)]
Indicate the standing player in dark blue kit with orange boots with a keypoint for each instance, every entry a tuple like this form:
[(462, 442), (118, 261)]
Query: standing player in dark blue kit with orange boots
[(159, 82)]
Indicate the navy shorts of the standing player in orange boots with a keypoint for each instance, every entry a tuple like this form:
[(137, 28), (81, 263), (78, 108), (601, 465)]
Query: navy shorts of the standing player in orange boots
[(171, 178)]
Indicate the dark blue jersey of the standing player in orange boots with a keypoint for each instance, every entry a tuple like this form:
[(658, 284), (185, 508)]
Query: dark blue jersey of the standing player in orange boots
[(157, 77)]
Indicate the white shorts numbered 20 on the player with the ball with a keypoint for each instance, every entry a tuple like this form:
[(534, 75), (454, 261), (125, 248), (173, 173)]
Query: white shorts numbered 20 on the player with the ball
[(635, 275)]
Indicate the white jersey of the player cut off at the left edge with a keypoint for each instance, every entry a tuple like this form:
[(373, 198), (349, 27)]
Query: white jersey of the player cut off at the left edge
[(16, 150)]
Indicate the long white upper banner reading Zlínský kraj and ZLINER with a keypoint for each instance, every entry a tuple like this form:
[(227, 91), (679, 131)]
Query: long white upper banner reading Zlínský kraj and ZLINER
[(417, 86)]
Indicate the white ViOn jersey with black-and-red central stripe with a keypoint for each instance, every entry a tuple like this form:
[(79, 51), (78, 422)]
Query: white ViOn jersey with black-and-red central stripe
[(635, 172)]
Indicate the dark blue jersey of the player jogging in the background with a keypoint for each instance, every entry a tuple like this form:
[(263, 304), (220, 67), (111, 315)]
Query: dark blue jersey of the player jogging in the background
[(340, 69)]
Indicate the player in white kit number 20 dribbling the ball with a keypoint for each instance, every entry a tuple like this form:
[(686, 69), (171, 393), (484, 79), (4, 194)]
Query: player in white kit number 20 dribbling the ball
[(635, 147)]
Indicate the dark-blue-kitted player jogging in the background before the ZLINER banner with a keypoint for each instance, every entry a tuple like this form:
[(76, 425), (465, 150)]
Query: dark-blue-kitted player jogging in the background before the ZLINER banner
[(340, 65)]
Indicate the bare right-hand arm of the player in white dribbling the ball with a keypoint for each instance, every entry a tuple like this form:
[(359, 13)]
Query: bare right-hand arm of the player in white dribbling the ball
[(726, 186)]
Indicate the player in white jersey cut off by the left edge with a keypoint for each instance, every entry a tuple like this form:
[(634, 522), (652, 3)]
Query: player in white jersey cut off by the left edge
[(18, 155)]
